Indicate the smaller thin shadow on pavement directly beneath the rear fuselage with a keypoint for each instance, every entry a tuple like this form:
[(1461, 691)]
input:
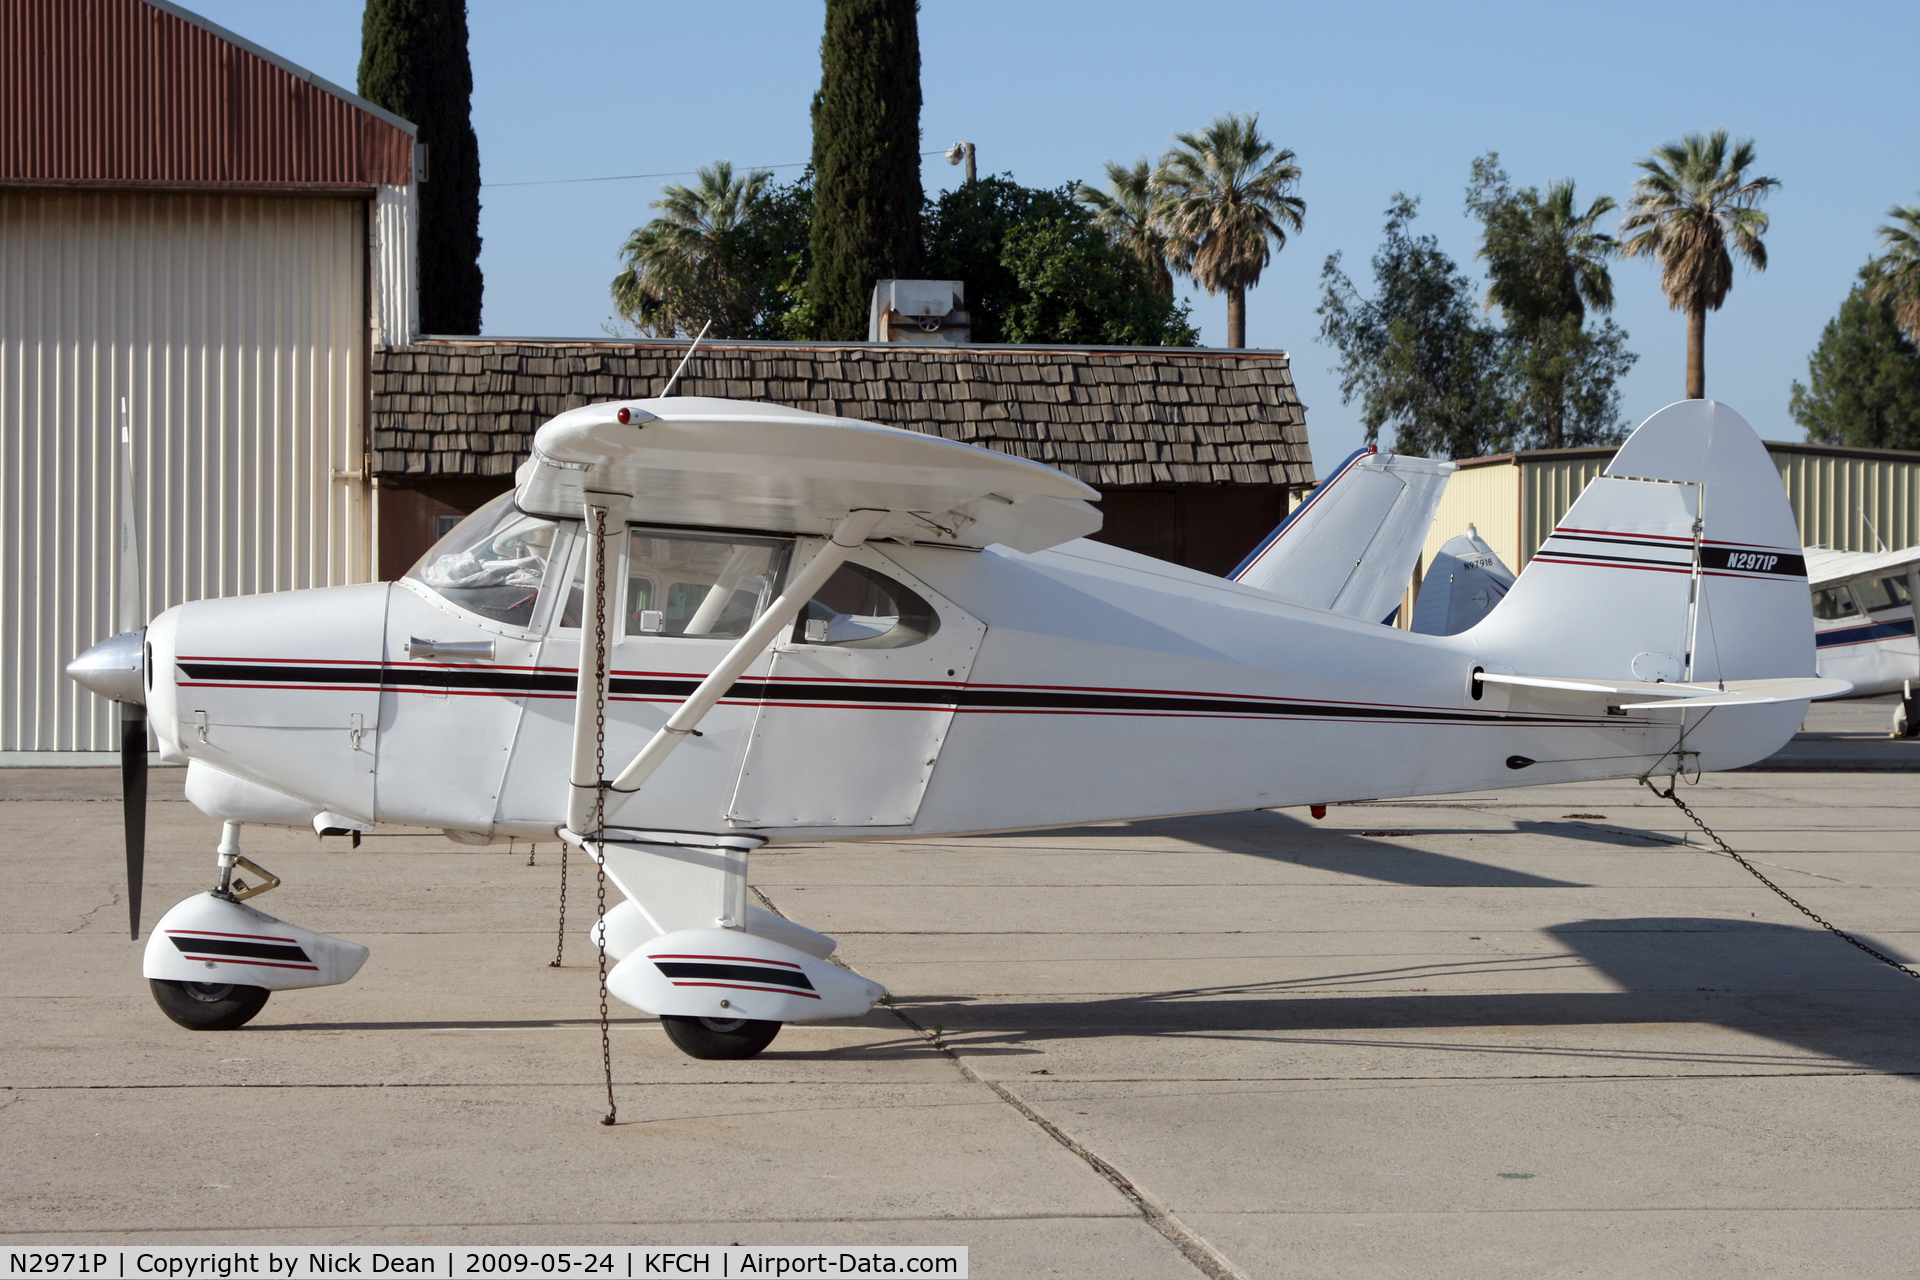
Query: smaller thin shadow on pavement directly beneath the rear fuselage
[(1282, 838)]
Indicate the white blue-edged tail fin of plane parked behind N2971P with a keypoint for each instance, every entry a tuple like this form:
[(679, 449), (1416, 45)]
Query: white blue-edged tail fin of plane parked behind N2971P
[(1353, 546)]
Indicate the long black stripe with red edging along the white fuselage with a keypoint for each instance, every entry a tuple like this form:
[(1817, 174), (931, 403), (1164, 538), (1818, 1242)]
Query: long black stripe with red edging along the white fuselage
[(853, 694)]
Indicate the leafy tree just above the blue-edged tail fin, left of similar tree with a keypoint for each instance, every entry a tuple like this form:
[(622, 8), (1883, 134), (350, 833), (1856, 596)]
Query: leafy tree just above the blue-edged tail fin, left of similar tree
[(1418, 354)]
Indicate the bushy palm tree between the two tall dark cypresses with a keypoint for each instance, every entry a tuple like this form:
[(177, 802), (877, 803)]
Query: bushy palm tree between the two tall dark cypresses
[(679, 273)]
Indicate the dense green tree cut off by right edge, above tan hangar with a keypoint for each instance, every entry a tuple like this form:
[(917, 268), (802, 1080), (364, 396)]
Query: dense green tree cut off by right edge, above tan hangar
[(1863, 381)]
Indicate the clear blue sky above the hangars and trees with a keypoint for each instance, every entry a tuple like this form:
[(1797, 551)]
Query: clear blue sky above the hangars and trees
[(1374, 99)]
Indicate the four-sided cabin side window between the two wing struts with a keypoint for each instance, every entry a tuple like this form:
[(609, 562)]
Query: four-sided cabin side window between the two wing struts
[(708, 586)]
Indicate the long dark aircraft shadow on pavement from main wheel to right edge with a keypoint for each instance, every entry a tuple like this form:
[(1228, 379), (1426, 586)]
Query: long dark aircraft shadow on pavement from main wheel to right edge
[(1798, 987)]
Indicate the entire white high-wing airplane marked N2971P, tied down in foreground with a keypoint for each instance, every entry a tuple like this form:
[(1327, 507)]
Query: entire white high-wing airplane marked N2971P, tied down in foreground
[(698, 627)]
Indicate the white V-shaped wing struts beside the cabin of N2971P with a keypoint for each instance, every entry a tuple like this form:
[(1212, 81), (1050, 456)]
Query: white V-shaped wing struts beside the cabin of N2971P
[(581, 811)]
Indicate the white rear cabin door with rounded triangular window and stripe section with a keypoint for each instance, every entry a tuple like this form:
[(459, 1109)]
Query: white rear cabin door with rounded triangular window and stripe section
[(857, 701)]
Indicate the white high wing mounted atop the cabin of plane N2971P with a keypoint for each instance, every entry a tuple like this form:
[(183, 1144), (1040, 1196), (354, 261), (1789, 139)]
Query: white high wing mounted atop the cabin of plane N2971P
[(742, 465)]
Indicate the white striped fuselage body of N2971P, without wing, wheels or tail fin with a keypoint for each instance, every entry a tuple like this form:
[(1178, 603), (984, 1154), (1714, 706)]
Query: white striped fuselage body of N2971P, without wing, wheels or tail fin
[(936, 692)]
